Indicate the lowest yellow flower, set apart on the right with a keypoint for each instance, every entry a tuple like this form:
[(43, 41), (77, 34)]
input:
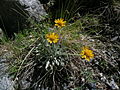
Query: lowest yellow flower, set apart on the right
[(87, 53)]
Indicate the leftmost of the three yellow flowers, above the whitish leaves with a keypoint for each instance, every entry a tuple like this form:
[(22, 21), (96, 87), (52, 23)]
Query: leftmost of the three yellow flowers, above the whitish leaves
[(52, 37)]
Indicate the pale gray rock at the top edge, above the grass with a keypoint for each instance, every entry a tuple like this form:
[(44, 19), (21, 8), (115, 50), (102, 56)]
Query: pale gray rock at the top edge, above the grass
[(34, 8)]
